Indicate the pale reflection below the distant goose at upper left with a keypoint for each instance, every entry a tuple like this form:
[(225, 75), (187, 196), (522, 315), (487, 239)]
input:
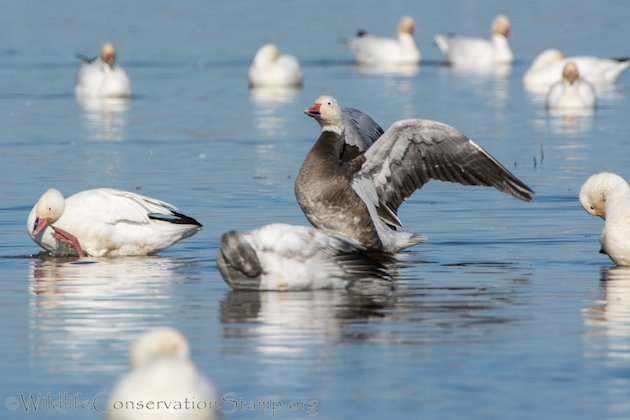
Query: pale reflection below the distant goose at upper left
[(104, 118)]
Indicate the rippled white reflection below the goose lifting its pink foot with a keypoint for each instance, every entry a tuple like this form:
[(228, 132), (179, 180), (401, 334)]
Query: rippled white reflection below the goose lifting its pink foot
[(92, 308)]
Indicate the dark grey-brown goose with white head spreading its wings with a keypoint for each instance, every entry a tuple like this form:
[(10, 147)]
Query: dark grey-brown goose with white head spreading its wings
[(360, 197)]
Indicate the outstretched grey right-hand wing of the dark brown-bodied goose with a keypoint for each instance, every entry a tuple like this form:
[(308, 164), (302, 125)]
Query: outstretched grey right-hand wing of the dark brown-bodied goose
[(412, 152)]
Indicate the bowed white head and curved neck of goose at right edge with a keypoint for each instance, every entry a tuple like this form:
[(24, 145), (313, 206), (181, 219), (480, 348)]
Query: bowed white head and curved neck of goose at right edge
[(597, 189)]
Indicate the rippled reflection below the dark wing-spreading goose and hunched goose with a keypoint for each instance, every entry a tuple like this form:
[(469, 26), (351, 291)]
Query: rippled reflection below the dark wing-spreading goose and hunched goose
[(417, 312)]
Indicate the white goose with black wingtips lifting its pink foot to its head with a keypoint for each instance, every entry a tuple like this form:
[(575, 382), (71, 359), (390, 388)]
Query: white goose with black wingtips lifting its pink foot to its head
[(106, 222)]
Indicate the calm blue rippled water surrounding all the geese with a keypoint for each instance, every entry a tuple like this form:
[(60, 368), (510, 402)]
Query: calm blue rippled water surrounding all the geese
[(508, 311)]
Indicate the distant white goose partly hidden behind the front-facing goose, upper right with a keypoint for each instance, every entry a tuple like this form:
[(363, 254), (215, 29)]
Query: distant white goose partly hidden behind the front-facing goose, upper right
[(547, 69)]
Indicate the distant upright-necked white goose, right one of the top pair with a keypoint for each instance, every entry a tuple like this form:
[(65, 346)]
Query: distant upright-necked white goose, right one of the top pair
[(477, 52)]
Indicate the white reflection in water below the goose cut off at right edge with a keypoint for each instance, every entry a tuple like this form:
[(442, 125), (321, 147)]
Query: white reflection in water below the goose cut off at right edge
[(611, 315)]
